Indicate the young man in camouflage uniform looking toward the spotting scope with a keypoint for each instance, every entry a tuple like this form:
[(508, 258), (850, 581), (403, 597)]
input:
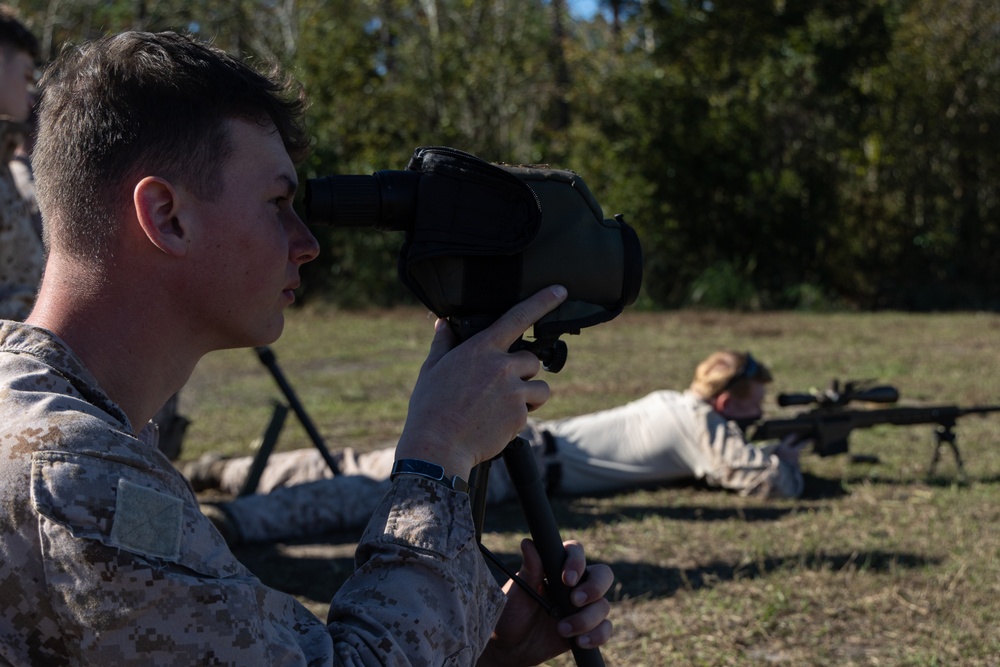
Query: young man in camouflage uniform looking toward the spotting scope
[(165, 178)]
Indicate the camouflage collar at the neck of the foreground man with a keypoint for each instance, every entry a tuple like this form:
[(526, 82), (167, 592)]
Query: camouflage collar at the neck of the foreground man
[(19, 338)]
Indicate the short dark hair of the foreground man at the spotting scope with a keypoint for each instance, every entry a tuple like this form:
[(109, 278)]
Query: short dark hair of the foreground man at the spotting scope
[(134, 104)]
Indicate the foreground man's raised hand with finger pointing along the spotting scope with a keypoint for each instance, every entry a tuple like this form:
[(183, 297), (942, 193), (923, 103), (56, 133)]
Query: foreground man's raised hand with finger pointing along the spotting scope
[(472, 398)]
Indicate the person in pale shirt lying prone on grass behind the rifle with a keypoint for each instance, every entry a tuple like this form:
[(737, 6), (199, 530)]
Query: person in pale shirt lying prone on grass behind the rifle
[(666, 436)]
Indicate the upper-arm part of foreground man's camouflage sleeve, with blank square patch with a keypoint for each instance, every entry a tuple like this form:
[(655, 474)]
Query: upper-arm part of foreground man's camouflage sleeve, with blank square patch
[(133, 572)]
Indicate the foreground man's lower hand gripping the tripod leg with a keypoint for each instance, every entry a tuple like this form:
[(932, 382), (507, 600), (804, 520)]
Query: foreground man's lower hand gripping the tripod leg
[(527, 635)]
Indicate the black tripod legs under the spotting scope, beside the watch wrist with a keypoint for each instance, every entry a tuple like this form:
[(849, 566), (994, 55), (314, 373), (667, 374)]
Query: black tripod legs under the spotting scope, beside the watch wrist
[(544, 531)]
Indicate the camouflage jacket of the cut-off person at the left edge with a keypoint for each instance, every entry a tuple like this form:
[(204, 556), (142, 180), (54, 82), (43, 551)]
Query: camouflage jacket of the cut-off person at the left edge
[(22, 256)]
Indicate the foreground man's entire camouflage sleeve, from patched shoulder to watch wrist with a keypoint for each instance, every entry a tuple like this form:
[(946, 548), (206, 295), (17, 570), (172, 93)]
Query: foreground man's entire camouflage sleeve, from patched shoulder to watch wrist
[(132, 571)]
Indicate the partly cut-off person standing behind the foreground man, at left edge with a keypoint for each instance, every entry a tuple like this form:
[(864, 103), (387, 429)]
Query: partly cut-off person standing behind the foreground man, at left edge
[(22, 255)]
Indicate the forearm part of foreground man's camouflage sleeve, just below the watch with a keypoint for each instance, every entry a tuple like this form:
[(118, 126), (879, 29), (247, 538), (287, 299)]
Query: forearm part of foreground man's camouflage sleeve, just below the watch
[(419, 568)]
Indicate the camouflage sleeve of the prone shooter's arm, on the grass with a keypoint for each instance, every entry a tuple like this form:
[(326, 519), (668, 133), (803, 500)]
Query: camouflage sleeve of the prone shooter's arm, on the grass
[(745, 468)]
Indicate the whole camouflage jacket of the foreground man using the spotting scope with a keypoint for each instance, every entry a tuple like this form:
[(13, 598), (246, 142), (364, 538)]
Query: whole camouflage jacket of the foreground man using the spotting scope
[(107, 560)]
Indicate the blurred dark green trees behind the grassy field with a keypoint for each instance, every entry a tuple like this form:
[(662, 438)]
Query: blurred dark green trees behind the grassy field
[(770, 154)]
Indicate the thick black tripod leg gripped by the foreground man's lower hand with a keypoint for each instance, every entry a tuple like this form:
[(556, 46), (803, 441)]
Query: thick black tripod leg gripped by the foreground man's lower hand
[(527, 482)]
